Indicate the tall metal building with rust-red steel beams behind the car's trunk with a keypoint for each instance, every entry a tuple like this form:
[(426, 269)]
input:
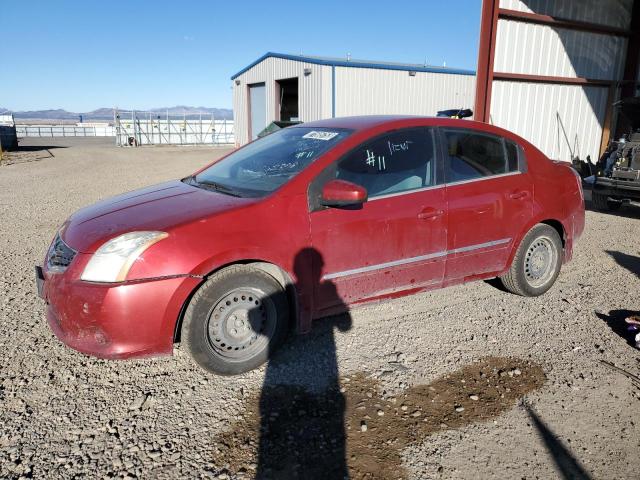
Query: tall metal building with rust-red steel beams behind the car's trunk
[(551, 70)]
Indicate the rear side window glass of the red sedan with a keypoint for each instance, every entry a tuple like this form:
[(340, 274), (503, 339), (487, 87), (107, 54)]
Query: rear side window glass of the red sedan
[(472, 155)]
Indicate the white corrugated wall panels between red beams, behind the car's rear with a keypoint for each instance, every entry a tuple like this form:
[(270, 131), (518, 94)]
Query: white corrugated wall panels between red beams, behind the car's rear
[(561, 120)]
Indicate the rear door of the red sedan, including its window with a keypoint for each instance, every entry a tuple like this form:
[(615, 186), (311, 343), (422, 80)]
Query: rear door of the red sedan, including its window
[(490, 200)]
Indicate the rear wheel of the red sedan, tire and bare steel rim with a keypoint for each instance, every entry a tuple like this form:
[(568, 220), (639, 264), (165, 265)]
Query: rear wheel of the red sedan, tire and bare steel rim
[(536, 264)]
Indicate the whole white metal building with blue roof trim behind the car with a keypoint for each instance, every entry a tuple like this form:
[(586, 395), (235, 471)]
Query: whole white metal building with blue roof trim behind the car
[(291, 87)]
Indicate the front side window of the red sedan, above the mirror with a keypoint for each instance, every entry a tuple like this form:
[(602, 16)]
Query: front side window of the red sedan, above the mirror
[(399, 161)]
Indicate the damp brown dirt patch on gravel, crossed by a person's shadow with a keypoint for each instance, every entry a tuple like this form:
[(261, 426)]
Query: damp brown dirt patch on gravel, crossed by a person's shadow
[(355, 430)]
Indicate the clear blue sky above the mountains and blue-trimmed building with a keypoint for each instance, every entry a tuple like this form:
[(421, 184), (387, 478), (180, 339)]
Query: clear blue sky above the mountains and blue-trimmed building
[(84, 55)]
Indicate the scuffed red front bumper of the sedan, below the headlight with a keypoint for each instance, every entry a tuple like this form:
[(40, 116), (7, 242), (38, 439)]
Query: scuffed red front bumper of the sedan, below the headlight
[(115, 321)]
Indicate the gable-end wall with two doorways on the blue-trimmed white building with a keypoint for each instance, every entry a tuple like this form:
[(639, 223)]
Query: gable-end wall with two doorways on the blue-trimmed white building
[(313, 104)]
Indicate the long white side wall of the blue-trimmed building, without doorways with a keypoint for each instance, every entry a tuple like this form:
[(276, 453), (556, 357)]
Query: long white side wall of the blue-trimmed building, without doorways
[(367, 91)]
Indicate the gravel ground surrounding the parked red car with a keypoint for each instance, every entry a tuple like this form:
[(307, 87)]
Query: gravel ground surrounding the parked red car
[(547, 405)]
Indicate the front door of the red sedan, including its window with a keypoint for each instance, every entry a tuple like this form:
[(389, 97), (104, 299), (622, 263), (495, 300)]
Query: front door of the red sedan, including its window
[(396, 240)]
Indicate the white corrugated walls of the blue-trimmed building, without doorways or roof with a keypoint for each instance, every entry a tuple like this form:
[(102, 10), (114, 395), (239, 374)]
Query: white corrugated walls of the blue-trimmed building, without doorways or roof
[(358, 91)]
